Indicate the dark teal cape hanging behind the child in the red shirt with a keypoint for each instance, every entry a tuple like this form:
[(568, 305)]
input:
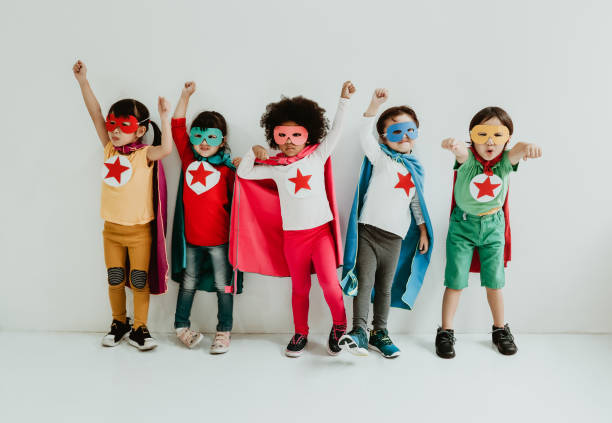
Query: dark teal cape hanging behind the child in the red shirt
[(206, 281)]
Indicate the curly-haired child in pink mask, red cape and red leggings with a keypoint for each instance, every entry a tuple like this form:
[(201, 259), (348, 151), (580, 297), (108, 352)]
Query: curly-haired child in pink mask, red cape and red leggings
[(284, 213)]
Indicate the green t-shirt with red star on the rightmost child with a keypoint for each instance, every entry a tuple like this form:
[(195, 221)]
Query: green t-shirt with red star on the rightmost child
[(477, 193)]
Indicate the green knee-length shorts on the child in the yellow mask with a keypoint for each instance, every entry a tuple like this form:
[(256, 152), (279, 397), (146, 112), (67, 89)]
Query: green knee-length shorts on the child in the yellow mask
[(466, 232)]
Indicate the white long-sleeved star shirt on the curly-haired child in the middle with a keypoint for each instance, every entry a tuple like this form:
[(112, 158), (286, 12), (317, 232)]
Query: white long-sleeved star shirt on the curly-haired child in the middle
[(301, 185)]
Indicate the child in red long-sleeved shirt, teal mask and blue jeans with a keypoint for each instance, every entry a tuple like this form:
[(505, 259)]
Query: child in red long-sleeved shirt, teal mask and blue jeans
[(201, 220)]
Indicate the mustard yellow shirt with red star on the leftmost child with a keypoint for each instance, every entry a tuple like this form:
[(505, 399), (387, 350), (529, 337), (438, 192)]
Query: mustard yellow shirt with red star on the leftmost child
[(127, 187)]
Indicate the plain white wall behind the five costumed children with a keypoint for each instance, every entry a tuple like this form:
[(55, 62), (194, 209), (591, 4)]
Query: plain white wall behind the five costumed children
[(547, 63)]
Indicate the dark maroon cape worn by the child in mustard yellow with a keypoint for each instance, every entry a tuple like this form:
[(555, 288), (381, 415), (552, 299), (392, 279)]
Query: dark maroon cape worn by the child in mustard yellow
[(158, 263)]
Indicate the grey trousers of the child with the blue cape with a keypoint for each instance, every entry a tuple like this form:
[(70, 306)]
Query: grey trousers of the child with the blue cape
[(377, 255)]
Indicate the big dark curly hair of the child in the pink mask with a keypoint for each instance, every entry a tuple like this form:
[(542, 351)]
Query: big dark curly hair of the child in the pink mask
[(300, 110)]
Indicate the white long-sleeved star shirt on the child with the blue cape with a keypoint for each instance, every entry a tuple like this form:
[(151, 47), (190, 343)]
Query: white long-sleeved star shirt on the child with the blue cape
[(391, 194)]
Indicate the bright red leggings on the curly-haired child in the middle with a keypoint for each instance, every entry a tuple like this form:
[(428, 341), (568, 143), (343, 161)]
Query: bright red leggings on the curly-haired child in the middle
[(302, 250)]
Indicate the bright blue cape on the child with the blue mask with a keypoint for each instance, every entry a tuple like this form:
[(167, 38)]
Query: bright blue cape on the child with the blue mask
[(411, 266)]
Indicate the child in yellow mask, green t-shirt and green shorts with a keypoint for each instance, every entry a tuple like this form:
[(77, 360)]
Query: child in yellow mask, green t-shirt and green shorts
[(478, 221)]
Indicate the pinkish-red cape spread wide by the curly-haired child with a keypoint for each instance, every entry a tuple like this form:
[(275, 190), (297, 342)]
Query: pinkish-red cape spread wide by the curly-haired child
[(256, 229)]
